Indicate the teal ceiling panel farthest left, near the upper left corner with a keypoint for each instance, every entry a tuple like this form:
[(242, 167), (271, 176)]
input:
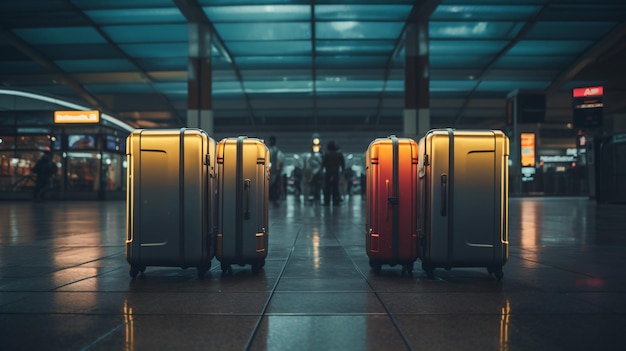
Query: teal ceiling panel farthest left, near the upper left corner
[(60, 35)]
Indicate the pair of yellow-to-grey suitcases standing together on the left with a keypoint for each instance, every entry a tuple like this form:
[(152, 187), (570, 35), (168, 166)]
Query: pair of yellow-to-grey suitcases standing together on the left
[(189, 200)]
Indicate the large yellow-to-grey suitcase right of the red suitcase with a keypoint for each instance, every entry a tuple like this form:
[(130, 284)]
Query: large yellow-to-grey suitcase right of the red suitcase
[(463, 177)]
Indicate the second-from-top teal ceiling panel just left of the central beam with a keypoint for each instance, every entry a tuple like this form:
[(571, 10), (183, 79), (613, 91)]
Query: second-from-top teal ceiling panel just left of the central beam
[(264, 31)]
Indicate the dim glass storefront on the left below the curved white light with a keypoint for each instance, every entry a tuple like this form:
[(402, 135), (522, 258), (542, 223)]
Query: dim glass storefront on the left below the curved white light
[(89, 155)]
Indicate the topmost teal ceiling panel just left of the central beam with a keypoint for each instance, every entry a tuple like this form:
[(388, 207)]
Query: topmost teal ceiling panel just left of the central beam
[(257, 13)]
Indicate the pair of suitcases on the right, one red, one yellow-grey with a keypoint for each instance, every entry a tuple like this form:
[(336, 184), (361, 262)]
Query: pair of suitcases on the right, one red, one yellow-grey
[(444, 201)]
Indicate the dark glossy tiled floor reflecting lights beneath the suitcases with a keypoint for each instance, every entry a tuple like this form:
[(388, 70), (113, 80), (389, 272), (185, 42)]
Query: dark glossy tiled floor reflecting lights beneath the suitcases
[(64, 285)]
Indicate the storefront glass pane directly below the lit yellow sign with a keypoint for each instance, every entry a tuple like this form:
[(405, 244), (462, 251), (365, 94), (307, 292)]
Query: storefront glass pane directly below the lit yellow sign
[(83, 169)]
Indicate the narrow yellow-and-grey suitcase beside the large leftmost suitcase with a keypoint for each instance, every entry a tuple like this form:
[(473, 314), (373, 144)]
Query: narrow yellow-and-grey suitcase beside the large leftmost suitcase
[(243, 166)]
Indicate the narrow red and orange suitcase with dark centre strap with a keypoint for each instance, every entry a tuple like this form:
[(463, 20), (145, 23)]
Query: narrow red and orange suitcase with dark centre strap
[(391, 203)]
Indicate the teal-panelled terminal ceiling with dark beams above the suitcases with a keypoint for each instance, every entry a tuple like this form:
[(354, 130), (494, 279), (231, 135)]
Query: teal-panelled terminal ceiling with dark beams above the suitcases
[(304, 66)]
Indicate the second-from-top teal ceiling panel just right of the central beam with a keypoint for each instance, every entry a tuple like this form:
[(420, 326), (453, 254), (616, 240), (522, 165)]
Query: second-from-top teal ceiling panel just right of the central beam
[(358, 30)]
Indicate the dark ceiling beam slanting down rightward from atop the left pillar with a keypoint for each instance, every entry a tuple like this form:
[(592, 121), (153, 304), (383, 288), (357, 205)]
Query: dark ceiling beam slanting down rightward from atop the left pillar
[(194, 13)]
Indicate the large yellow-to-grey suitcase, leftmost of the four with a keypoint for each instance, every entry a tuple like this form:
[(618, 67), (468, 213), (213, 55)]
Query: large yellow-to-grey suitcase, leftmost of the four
[(169, 199)]
